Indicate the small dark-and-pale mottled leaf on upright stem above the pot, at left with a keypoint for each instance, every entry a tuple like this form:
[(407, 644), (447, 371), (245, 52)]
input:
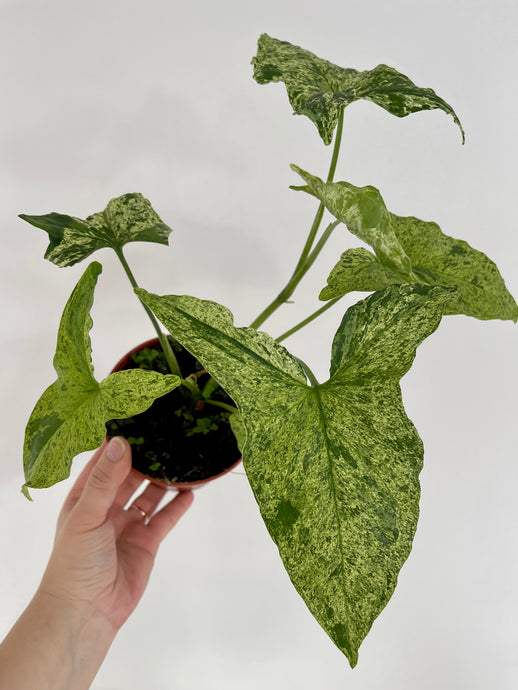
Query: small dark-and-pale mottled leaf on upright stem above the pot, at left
[(128, 218)]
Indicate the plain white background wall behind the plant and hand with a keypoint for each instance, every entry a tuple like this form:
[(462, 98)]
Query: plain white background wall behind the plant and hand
[(103, 98)]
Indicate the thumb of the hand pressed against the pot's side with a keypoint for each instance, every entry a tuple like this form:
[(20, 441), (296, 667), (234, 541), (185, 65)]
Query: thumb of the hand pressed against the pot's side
[(103, 483)]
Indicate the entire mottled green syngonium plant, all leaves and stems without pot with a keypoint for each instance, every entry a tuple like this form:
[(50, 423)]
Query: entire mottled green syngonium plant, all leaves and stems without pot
[(334, 466)]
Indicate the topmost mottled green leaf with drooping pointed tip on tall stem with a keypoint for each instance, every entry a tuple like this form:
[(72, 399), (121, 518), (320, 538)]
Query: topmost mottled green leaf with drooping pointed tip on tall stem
[(319, 89)]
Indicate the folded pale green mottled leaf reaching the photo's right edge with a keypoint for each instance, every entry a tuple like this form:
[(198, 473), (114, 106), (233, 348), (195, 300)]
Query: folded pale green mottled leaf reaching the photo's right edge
[(407, 250)]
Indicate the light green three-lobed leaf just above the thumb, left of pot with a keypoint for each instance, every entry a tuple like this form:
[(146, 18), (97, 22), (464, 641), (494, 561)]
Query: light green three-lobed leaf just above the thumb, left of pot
[(70, 415)]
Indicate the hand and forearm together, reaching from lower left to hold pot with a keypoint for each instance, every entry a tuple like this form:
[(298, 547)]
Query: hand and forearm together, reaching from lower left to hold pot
[(97, 572)]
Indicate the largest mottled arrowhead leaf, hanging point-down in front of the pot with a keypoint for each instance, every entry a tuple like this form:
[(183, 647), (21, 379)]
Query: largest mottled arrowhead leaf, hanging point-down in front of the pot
[(334, 467)]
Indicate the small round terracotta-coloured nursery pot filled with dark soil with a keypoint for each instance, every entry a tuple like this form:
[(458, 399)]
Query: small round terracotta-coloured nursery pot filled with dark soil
[(177, 444)]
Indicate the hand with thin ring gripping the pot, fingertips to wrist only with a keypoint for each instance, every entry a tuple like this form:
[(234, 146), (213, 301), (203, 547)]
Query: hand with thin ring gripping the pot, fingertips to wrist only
[(103, 555)]
